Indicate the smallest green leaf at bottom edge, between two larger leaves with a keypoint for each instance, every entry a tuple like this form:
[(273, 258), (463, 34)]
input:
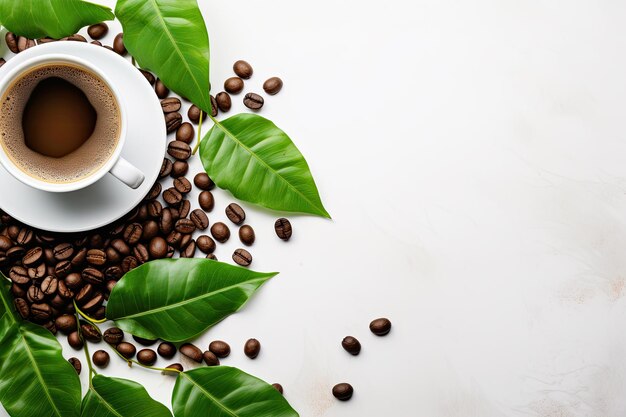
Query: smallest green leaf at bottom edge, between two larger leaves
[(116, 397)]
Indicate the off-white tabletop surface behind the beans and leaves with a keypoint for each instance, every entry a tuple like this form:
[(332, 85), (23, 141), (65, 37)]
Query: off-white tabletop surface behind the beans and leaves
[(472, 157)]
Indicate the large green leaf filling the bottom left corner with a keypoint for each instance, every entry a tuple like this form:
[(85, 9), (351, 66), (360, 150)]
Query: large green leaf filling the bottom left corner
[(35, 379)]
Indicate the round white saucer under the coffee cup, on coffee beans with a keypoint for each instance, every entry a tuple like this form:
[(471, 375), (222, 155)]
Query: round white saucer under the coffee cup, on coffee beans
[(108, 199)]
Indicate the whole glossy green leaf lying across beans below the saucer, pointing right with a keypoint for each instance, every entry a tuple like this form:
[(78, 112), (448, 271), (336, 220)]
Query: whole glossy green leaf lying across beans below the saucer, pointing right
[(177, 299)]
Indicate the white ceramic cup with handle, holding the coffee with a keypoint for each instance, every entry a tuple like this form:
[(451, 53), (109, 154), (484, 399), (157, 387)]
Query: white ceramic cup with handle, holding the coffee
[(116, 165)]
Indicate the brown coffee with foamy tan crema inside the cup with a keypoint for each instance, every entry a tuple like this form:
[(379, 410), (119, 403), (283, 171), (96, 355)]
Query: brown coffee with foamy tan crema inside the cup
[(66, 158)]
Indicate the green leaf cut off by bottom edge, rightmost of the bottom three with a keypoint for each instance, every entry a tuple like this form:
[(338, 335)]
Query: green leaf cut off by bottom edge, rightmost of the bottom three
[(221, 391)]
